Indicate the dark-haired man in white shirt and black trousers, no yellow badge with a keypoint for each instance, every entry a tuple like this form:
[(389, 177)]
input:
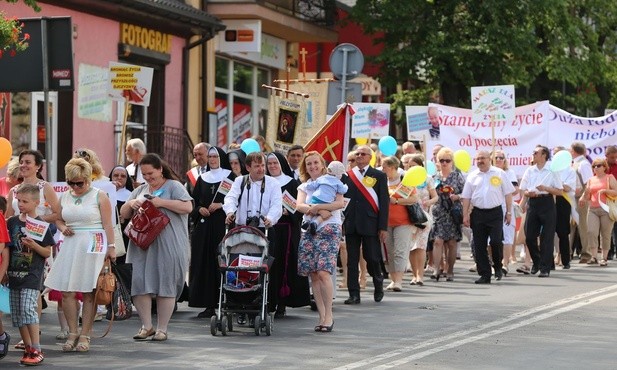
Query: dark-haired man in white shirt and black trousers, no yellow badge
[(540, 185)]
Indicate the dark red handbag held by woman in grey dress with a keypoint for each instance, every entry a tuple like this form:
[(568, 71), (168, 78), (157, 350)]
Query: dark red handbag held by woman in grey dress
[(146, 225)]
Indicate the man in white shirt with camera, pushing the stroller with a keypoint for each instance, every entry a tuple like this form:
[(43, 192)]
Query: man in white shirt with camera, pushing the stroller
[(254, 199)]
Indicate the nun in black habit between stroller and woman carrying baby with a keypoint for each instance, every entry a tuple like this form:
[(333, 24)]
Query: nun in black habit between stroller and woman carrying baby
[(287, 288)]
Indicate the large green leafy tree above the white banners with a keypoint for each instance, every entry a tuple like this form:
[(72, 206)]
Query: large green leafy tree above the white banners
[(558, 50)]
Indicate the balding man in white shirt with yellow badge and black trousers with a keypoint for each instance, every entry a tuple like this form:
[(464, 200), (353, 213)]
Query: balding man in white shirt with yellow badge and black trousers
[(487, 189)]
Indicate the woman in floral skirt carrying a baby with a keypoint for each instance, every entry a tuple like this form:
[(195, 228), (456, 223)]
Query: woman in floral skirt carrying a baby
[(317, 253)]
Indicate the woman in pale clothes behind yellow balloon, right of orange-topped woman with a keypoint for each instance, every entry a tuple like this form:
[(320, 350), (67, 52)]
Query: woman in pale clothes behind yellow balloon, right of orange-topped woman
[(427, 196)]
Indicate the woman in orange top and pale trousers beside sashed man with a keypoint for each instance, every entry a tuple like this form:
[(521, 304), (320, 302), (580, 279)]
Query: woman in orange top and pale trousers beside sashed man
[(400, 228)]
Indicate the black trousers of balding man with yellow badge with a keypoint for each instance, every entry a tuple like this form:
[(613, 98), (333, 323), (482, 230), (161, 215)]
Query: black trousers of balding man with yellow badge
[(487, 223)]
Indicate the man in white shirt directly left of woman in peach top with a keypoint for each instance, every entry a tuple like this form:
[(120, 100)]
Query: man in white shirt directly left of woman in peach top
[(583, 171)]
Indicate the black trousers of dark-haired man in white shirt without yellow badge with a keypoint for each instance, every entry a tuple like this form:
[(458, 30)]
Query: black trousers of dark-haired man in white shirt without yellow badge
[(540, 222)]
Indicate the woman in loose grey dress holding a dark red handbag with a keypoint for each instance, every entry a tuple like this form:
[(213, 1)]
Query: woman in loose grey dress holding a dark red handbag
[(160, 270)]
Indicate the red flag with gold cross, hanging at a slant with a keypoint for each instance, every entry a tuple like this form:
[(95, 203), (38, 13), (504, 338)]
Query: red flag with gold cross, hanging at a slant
[(333, 138)]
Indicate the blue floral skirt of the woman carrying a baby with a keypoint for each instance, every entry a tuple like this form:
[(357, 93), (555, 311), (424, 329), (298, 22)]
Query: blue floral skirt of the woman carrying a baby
[(318, 252)]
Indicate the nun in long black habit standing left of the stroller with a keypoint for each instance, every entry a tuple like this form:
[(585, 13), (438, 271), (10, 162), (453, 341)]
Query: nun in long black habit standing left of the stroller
[(209, 229)]
